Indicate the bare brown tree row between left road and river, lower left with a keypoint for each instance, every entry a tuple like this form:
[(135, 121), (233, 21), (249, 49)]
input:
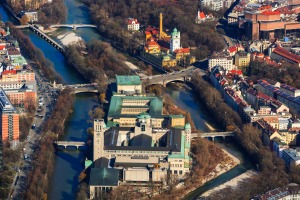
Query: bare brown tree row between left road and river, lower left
[(44, 157)]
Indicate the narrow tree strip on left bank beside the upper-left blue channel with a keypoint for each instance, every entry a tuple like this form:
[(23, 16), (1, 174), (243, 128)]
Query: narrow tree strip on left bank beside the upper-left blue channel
[(34, 54)]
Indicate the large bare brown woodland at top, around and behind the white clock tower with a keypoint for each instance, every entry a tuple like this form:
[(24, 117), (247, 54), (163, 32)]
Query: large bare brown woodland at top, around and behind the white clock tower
[(110, 16)]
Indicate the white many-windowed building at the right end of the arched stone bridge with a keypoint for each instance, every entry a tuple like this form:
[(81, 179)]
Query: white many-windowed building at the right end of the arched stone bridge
[(221, 59)]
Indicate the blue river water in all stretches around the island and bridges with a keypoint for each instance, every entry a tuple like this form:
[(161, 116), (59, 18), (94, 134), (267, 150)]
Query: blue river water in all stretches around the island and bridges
[(69, 163)]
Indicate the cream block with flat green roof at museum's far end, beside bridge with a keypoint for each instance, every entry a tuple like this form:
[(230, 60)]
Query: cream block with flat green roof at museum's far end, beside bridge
[(128, 84)]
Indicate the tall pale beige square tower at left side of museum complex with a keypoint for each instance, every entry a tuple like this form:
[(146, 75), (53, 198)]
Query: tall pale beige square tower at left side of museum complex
[(99, 129)]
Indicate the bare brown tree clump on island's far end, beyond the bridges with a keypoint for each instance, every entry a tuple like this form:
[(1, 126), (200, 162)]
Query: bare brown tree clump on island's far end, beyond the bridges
[(100, 63)]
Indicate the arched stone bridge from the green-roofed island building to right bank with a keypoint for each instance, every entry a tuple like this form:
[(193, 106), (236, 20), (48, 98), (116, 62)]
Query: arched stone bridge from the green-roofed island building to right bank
[(164, 79)]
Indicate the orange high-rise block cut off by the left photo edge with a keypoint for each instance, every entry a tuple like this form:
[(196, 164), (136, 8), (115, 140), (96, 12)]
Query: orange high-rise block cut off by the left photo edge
[(9, 120)]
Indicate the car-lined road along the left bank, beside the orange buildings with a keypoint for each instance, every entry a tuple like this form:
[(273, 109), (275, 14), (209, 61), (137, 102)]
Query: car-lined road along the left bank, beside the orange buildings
[(30, 144)]
